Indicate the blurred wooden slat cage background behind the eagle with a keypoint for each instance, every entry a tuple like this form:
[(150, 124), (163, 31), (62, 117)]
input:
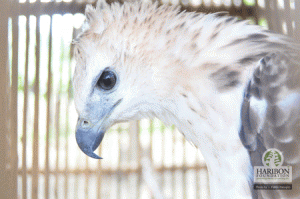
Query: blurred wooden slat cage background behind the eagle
[(39, 155)]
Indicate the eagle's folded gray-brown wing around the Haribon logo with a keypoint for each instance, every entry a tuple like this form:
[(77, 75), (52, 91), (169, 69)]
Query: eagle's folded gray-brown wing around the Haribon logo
[(270, 116)]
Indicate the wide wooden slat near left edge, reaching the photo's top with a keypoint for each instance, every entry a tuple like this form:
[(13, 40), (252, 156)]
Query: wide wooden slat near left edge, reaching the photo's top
[(14, 101)]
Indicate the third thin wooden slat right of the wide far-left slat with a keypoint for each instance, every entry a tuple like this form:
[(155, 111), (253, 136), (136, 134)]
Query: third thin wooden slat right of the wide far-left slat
[(49, 94)]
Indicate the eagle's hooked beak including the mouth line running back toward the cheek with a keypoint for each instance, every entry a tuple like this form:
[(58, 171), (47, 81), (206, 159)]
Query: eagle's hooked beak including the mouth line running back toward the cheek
[(89, 136)]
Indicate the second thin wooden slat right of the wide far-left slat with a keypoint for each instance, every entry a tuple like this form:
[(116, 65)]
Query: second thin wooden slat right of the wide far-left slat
[(35, 161)]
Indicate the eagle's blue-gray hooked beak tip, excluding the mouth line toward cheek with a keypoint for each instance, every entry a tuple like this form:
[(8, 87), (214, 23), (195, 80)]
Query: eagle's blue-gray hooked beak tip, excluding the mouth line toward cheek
[(88, 139)]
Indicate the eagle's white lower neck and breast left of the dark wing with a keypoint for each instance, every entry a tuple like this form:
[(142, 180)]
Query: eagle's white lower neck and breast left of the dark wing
[(213, 127)]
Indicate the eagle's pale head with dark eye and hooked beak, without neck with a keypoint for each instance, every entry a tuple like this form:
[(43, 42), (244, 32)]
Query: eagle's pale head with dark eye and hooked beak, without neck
[(123, 71)]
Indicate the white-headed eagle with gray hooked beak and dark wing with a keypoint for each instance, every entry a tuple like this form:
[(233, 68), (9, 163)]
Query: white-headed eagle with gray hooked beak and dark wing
[(230, 87)]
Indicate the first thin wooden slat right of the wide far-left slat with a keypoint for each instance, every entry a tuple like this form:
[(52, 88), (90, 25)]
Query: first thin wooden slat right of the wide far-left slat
[(25, 110)]
